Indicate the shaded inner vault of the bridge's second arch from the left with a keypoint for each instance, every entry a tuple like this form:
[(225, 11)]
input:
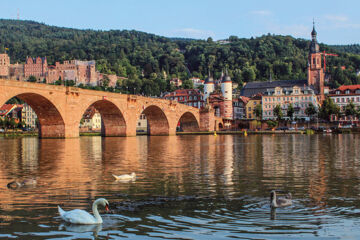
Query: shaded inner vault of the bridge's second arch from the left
[(113, 121)]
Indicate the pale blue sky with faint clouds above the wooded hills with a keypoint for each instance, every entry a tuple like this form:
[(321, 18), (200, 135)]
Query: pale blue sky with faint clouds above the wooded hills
[(336, 21)]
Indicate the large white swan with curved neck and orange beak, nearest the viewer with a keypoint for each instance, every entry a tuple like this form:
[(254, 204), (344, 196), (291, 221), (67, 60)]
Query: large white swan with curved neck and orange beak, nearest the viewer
[(78, 216)]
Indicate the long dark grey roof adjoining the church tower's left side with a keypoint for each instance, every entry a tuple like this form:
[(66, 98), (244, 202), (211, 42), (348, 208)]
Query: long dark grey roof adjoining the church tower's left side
[(252, 88)]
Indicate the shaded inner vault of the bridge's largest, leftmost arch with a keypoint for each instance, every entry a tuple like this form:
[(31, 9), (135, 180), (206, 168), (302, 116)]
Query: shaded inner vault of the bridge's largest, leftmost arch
[(51, 122)]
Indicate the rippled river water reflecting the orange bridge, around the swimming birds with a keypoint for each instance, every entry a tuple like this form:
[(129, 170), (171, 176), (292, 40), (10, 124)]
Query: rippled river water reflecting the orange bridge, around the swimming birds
[(187, 187)]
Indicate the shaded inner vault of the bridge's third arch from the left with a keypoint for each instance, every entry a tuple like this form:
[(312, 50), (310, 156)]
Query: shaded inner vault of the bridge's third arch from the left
[(157, 120)]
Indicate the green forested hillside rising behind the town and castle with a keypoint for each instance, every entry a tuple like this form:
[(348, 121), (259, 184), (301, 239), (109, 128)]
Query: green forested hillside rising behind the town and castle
[(149, 60)]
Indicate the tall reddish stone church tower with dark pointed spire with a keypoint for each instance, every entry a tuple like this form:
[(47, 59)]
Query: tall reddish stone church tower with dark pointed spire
[(316, 73)]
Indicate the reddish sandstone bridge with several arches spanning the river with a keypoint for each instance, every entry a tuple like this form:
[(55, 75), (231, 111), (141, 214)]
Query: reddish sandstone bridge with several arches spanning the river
[(60, 109)]
